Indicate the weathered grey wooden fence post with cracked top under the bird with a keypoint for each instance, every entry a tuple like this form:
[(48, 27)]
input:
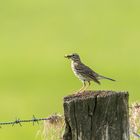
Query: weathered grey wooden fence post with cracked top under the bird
[(96, 115)]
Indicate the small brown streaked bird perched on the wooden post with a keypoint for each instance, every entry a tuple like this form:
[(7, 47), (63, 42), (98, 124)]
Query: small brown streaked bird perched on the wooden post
[(83, 72)]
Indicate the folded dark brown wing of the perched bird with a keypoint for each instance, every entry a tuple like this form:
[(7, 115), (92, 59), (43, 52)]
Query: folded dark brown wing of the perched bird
[(86, 71)]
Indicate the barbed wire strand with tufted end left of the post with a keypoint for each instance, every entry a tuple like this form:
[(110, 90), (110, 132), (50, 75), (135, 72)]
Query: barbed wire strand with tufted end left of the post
[(52, 119)]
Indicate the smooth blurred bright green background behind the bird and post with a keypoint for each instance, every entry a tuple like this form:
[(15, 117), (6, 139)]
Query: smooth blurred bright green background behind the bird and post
[(34, 37)]
